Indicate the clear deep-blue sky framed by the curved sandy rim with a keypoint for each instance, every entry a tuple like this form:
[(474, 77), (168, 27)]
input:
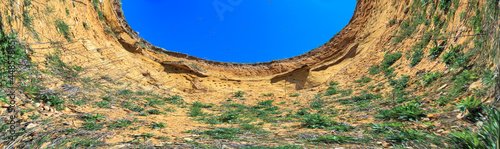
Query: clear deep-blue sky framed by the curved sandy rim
[(242, 31)]
